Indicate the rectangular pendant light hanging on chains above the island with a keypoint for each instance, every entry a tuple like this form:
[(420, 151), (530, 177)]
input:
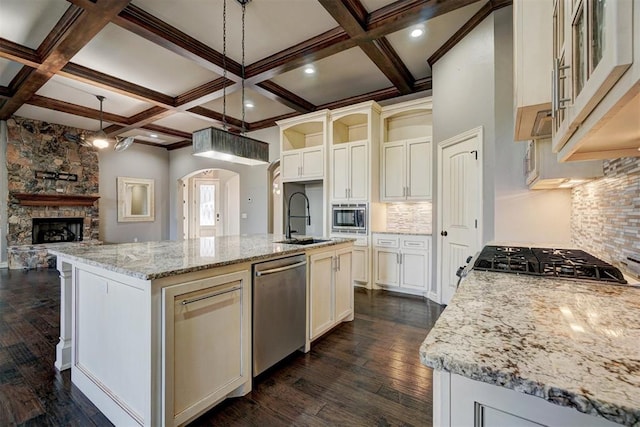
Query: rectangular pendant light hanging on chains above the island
[(221, 144)]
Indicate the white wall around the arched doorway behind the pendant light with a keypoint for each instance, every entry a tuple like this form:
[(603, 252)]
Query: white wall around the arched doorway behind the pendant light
[(254, 183)]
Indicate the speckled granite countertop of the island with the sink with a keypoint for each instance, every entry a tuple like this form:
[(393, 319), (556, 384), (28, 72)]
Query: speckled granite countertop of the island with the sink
[(154, 260)]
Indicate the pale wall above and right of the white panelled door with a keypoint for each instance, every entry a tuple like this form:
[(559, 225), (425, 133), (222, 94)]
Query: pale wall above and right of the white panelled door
[(473, 86)]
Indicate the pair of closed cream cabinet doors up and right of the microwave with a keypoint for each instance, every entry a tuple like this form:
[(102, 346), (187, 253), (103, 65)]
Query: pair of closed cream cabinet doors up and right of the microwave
[(406, 170)]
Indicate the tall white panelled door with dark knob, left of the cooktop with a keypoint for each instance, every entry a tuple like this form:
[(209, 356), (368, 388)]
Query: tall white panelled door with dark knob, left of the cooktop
[(460, 210)]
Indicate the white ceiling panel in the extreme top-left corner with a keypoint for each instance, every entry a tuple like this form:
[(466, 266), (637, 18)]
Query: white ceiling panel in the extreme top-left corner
[(27, 22)]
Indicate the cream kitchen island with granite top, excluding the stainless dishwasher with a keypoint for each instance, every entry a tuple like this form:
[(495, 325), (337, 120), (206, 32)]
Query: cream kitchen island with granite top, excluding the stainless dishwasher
[(157, 333)]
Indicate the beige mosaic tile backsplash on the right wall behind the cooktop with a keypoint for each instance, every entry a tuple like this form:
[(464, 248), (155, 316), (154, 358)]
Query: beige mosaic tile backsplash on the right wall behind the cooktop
[(605, 214)]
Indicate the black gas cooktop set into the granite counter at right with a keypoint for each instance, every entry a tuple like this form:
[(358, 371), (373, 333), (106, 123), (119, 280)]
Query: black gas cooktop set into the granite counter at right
[(548, 262)]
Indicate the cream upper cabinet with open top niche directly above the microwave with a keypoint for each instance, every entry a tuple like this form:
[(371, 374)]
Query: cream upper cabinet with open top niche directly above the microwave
[(354, 142)]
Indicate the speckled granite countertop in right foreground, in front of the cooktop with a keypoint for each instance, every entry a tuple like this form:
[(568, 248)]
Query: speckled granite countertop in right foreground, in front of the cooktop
[(573, 343)]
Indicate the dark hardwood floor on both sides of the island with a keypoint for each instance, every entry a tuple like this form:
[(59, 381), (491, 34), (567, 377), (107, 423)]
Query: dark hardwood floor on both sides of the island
[(363, 373)]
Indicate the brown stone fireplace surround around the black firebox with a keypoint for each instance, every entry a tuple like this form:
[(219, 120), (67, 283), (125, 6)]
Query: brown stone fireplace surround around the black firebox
[(38, 146)]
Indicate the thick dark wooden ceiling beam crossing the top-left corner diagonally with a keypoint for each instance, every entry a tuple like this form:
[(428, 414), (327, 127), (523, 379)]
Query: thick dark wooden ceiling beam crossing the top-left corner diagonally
[(79, 29)]
